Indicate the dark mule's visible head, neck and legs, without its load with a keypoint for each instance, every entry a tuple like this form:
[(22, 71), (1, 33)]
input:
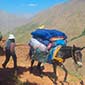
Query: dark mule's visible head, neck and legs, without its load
[(67, 52)]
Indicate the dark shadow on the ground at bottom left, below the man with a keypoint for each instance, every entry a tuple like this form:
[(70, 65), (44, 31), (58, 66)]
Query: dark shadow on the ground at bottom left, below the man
[(9, 76)]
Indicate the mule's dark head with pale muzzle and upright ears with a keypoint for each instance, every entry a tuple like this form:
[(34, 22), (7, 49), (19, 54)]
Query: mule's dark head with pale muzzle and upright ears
[(77, 55)]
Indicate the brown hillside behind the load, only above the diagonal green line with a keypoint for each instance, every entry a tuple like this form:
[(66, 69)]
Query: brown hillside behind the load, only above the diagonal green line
[(67, 17)]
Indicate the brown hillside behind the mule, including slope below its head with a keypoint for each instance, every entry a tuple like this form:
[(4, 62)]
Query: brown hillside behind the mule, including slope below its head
[(67, 17)]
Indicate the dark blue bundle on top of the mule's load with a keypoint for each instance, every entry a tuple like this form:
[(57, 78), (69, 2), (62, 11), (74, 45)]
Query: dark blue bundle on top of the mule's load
[(46, 34)]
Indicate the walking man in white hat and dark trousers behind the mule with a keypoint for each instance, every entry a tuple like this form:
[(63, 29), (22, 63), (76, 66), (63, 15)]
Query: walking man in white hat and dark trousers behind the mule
[(10, 51)]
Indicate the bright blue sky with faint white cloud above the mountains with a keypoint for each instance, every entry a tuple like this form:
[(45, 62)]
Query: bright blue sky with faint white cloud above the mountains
[(27, 6)]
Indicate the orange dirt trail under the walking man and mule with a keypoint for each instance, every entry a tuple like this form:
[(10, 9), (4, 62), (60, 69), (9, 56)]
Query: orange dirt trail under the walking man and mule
[(33, 78)]
